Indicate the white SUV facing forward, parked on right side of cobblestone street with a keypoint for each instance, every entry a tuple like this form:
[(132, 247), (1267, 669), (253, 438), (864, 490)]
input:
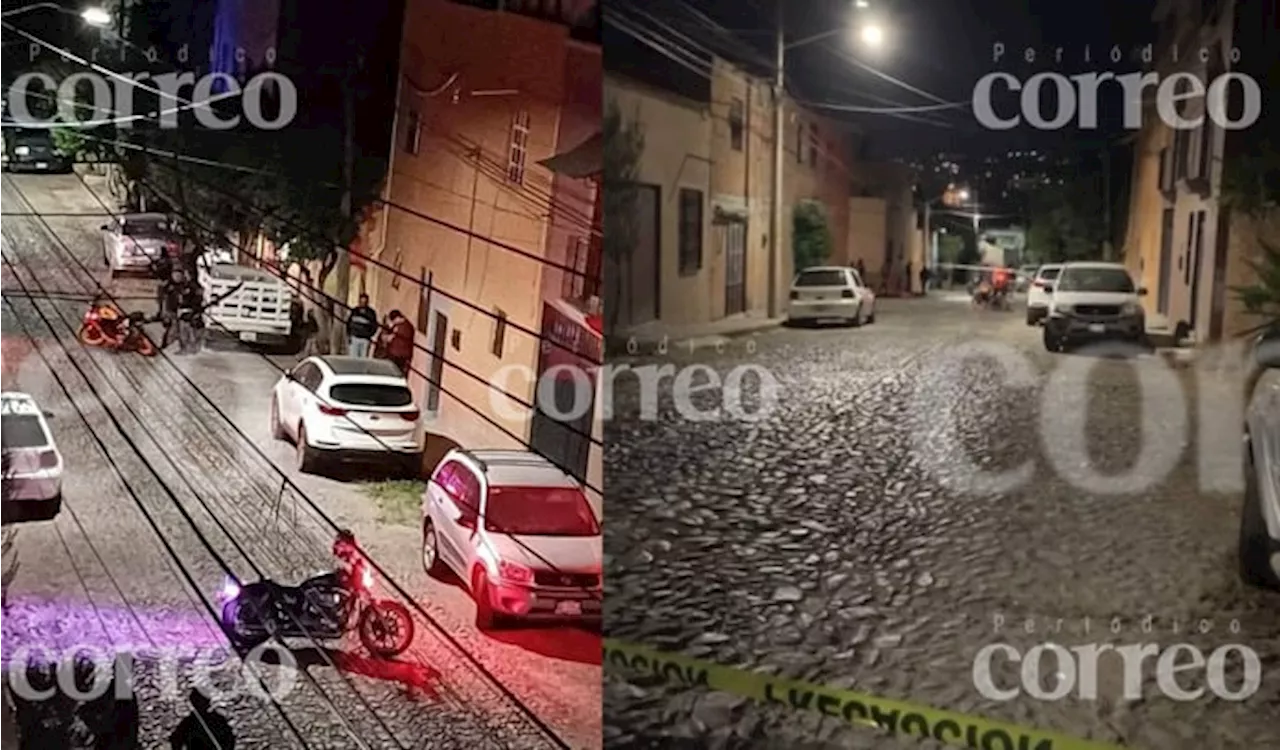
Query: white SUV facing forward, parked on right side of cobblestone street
[(1091, 303)]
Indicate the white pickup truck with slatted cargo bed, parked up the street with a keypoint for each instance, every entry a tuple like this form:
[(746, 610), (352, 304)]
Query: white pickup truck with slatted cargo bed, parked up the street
[(258, 312)]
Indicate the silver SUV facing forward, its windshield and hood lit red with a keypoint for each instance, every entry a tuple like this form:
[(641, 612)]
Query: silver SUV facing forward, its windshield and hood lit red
[(519, 533)]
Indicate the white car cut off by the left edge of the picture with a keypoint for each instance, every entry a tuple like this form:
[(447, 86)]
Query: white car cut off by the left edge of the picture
[(35, 463)]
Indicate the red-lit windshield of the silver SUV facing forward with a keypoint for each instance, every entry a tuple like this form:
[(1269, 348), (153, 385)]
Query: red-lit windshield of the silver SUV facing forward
[(540, 513)]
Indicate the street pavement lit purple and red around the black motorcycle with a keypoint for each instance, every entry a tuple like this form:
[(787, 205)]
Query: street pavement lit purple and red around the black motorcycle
[(100, 574)]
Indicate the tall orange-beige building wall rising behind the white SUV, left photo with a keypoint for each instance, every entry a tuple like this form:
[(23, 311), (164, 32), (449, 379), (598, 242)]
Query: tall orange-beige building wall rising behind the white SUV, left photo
[(459, 177)]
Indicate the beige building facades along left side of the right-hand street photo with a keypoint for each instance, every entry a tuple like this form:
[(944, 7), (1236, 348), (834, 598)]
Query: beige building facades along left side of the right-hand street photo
[(706, 245)]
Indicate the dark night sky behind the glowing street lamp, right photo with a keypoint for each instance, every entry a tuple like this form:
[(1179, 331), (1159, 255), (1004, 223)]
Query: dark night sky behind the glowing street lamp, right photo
[(943, 48)]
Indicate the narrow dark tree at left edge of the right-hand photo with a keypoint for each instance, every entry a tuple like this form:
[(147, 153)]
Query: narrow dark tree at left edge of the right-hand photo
[(624, 148)]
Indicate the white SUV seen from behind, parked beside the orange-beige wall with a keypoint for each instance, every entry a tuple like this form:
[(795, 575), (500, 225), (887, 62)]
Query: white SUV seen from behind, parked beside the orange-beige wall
[(349, 410)]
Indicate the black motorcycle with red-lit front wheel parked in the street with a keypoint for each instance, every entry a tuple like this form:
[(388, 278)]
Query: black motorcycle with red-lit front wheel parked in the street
[(321, 609)]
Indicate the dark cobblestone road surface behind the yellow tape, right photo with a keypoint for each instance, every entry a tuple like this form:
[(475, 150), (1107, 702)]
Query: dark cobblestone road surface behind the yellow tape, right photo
[(842, 541)]
